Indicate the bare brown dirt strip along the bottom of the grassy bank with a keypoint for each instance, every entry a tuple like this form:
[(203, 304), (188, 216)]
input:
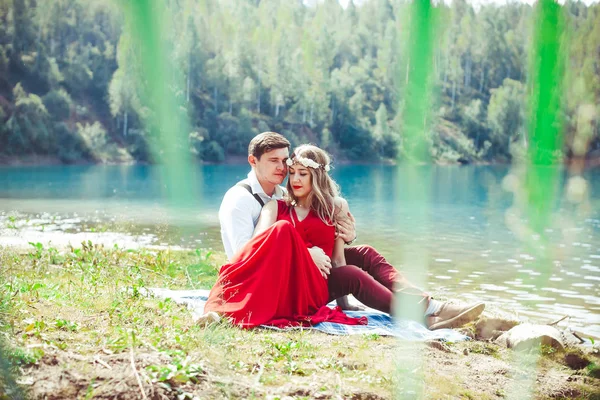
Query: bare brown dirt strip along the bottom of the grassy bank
[(471, 370)]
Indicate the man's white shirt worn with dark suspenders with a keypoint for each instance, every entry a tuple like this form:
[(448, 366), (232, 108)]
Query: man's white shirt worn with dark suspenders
[(239, 213)]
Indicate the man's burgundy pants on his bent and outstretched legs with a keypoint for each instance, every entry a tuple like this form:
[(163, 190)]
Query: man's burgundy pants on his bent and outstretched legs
[(372, 280)]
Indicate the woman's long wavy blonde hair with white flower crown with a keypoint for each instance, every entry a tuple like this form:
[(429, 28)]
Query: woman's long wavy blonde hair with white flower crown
[(324, 189)]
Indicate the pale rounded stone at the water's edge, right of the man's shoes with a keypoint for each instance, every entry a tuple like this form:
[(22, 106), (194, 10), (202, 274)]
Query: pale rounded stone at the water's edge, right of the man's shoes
[(527, 336)]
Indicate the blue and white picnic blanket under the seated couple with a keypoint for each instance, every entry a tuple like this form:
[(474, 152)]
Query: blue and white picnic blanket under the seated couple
[(379, 323)]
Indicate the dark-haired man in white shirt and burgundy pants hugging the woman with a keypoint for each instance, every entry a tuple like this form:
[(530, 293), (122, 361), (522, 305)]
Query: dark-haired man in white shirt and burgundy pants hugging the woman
[(241, 207)]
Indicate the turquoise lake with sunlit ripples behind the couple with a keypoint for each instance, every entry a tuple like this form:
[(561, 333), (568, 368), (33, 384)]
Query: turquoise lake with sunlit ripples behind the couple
[(459, 230)]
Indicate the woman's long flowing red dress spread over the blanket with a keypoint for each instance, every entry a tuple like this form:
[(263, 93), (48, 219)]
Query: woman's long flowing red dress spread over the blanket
[(273, 280)]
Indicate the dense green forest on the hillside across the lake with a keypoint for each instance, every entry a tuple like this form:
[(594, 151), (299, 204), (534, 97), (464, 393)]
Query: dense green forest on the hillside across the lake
[(321, 73)]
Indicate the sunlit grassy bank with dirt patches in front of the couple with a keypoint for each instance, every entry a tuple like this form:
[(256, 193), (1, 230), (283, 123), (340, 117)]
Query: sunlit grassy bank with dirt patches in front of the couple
[(81, 314)]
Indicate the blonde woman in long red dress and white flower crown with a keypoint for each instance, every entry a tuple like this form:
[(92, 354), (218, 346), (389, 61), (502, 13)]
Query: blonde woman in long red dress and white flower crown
[(273, 279)]
